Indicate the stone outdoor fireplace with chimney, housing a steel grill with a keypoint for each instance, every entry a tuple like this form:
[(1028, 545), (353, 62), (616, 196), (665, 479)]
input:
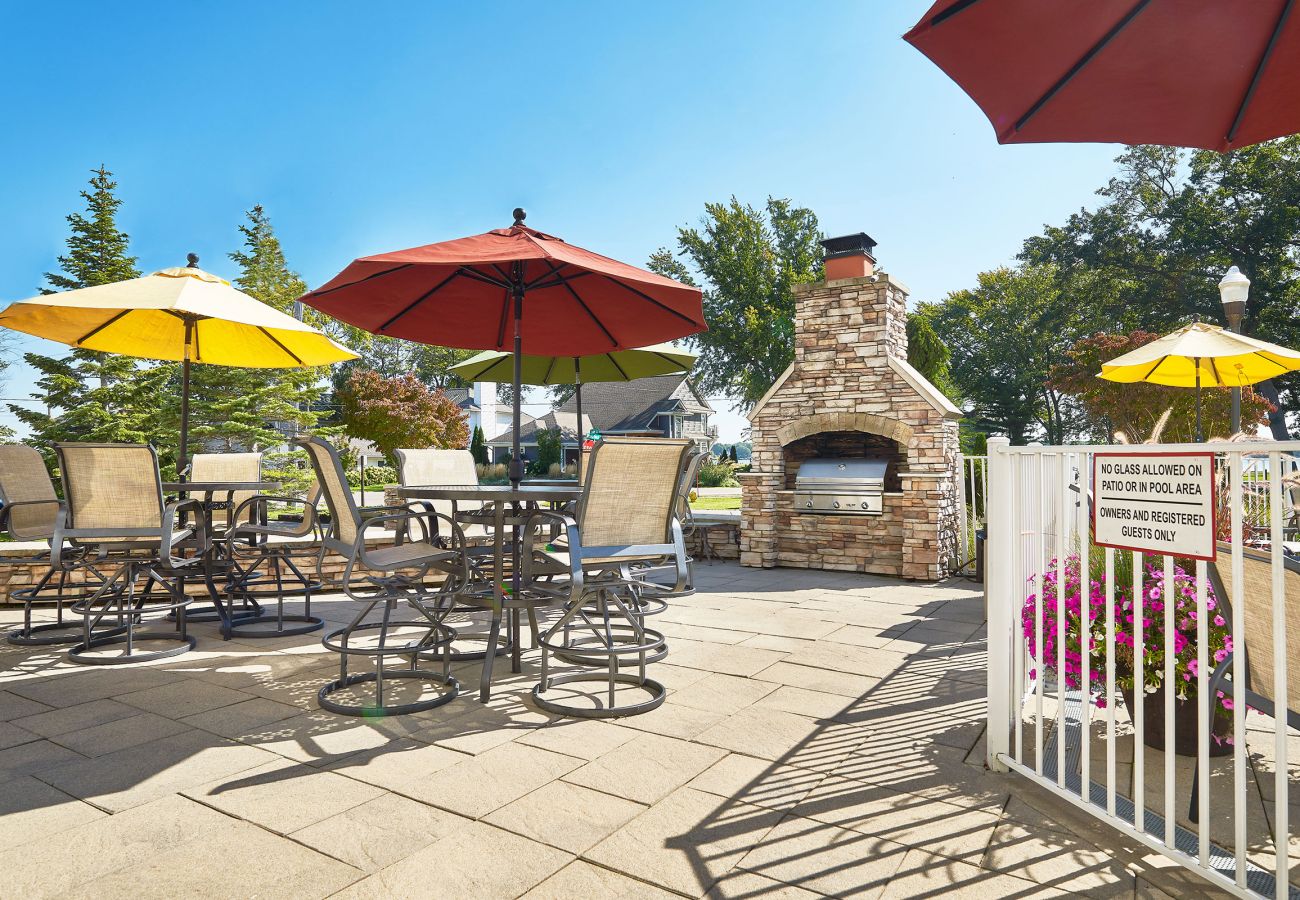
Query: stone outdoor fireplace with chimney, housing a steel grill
[(851, 393)]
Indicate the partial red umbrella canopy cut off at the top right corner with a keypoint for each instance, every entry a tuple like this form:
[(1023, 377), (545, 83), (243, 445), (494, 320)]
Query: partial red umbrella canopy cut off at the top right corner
[(1189, 73)]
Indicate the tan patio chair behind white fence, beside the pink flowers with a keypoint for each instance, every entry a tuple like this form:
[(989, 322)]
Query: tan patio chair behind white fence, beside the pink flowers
[(1258, 693)]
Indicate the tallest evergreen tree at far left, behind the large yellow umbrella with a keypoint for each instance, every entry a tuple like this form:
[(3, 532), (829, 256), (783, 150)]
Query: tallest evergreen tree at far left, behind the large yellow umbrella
[(92, 396)]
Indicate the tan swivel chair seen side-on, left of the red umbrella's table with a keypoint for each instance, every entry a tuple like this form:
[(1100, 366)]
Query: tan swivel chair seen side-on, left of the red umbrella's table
[(388, 576)]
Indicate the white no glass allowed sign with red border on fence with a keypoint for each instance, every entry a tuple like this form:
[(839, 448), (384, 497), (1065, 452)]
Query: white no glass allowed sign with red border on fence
[(1155, 504)]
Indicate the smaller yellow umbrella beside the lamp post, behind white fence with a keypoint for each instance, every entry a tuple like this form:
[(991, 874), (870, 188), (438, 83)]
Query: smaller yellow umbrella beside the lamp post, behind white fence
[(1201, 354)]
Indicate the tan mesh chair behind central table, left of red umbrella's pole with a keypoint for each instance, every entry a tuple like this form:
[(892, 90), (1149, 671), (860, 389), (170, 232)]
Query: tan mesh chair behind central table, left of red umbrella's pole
[(457, 468)]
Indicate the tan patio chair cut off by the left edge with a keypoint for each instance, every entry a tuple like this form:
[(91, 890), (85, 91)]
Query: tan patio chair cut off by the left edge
[(31, 510)]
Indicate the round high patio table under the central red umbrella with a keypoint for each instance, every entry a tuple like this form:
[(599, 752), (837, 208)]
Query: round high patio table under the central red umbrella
[(496, 497)]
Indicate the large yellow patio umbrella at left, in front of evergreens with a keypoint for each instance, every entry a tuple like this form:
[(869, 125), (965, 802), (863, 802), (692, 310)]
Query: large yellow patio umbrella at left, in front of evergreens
[(181, 314)]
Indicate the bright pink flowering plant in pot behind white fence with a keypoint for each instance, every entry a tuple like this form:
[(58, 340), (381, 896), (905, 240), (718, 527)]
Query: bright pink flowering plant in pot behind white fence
[(1072, 633)]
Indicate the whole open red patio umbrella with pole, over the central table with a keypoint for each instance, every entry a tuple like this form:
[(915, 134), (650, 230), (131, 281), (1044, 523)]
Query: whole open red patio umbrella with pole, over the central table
[(517, 285)]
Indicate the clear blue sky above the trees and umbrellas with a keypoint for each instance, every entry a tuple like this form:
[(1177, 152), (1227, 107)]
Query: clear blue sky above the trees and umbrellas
[(375, 127)]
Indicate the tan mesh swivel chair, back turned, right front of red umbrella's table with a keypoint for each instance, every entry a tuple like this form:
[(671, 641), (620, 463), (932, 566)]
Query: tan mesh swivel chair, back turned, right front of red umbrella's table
[(627, 516)]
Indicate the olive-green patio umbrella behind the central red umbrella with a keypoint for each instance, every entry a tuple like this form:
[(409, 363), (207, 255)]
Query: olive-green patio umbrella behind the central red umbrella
[(616, 366)]
